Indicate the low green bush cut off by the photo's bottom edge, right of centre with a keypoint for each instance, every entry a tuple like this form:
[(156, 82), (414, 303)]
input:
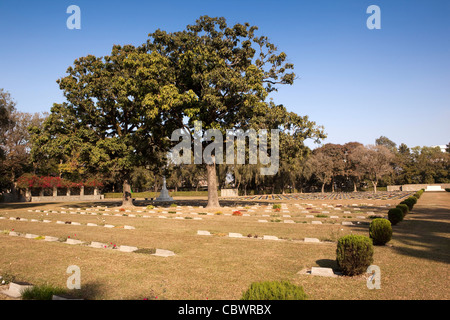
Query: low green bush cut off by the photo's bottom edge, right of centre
[(274, 290)]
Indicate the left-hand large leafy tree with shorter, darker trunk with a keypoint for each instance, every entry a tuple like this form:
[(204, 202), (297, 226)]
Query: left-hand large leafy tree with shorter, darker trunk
[(117, 113)]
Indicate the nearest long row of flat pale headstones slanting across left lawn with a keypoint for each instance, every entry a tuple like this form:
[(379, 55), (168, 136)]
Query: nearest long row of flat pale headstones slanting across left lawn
[(93, 244)]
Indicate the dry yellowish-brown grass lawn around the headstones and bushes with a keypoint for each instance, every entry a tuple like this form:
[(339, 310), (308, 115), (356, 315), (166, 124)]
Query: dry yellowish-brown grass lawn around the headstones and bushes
[(413, 266)]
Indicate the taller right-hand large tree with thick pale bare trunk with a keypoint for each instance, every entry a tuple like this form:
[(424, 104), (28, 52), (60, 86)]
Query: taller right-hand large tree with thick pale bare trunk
[(231, 72)]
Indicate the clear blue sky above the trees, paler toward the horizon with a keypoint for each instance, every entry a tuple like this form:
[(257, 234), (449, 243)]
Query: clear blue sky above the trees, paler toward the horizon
[(358, 83)]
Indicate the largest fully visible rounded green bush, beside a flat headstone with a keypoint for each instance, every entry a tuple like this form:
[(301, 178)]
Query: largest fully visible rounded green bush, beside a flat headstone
[(354, 254)]
